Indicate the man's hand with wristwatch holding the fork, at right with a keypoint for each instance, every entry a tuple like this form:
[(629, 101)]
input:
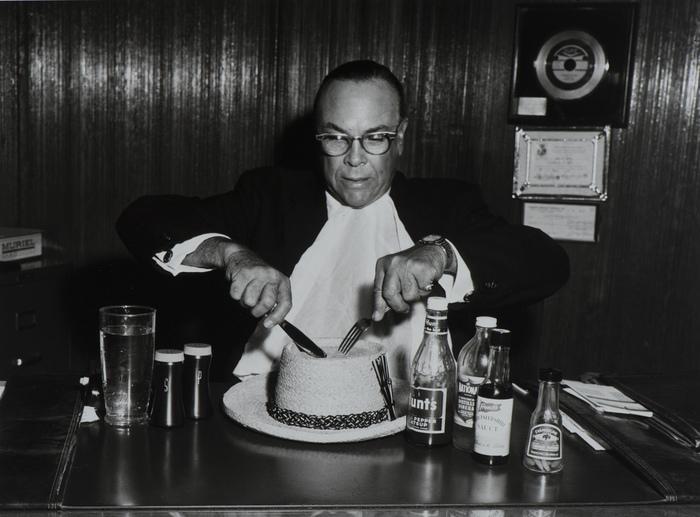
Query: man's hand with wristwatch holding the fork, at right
[(405, 277)]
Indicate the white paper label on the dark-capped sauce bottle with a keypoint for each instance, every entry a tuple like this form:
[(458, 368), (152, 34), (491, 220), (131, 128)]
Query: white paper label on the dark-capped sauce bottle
[(492, 426)]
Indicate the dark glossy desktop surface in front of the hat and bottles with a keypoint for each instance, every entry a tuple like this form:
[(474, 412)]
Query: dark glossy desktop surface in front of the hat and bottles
[(216, 463)]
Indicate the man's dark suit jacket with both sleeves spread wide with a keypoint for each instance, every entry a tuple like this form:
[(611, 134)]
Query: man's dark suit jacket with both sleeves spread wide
[(278, 213)]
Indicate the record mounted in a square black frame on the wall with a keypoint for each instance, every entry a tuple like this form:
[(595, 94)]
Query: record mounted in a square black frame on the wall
[(572, 64)]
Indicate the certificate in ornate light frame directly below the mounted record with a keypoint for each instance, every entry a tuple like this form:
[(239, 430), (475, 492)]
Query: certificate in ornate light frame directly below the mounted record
[(567, 165)]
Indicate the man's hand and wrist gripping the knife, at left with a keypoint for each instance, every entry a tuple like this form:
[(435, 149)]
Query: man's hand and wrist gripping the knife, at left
[(254, 283)]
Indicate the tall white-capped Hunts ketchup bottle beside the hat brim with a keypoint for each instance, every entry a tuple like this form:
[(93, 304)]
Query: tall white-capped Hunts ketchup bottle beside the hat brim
[(431, 401)]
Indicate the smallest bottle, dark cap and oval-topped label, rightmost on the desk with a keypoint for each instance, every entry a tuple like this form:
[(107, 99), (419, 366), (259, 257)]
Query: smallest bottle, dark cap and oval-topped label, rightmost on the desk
[(543, 450)]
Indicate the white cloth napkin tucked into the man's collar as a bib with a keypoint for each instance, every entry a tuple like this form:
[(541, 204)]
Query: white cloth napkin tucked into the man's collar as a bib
[(332, 288)]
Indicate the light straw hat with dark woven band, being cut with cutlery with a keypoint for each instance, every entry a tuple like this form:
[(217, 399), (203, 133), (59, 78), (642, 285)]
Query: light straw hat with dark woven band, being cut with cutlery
[(334, 399)]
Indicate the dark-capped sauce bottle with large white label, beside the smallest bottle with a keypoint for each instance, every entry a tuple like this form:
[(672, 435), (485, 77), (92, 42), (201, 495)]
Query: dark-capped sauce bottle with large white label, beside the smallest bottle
[(494, 405)]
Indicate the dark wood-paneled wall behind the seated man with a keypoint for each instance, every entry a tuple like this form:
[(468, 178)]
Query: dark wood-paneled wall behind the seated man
[(101, 102)]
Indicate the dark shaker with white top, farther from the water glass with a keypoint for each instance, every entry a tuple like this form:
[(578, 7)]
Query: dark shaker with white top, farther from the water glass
[(196, 387)]
